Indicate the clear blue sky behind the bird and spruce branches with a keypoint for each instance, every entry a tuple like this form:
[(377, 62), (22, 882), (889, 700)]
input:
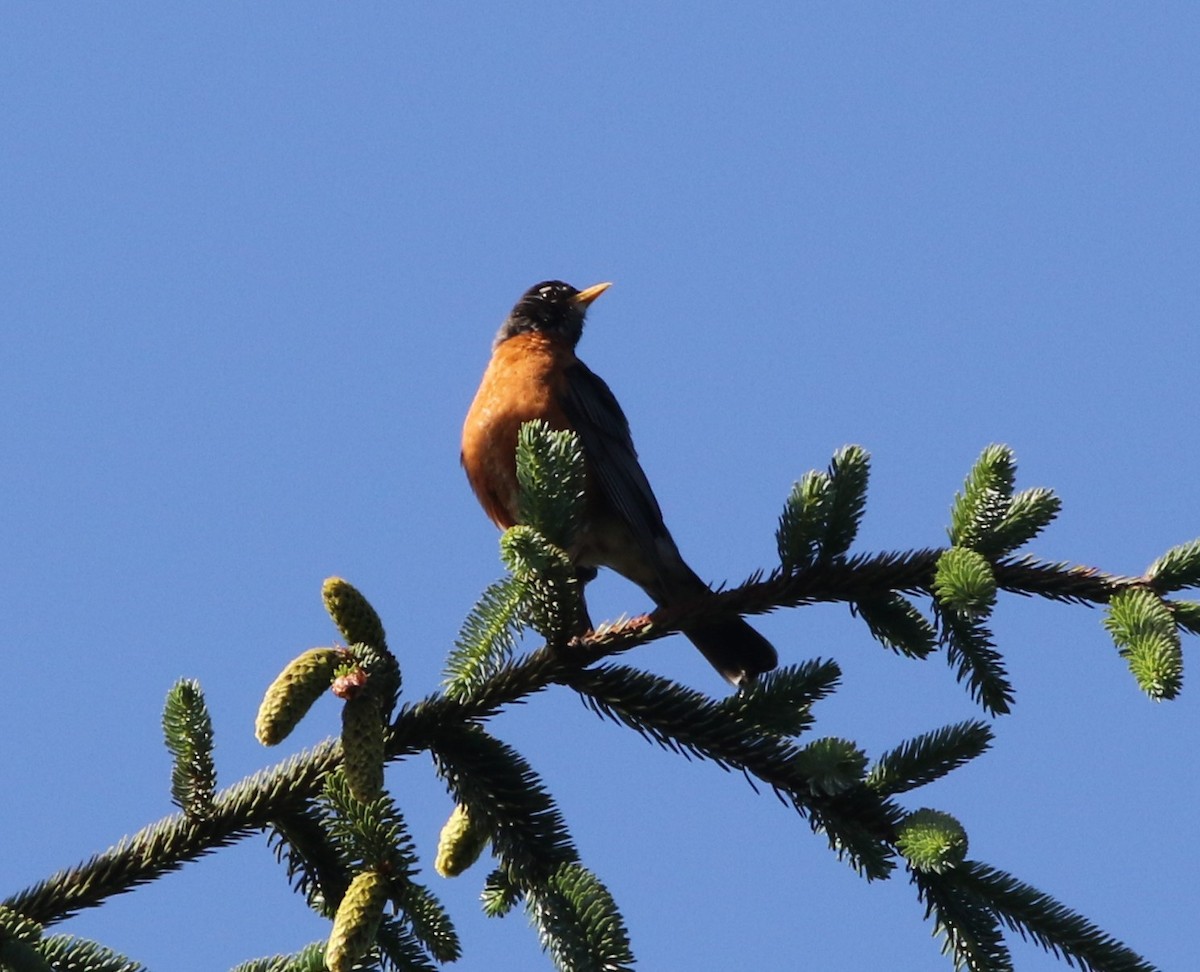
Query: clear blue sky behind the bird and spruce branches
[(251, 263)]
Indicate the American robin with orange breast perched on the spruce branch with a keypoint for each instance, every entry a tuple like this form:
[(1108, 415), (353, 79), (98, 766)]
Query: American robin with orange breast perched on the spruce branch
[(536, 375)]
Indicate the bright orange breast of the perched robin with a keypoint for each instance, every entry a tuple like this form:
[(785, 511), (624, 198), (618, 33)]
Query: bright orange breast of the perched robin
[(523, 382)]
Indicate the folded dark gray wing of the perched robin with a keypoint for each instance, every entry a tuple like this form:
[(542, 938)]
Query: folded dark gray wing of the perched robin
[(604, 433)]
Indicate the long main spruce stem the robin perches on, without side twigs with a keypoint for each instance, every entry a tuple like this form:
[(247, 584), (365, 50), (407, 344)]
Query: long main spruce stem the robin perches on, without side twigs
[(257, 802)]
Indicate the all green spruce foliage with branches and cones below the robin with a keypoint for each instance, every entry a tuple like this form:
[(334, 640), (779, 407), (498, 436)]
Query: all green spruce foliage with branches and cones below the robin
[(345, 845)]
